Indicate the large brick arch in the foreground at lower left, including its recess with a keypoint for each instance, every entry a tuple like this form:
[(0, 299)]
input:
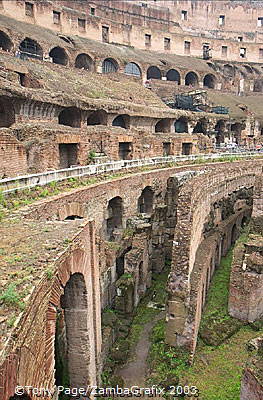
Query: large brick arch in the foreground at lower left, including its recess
[(76, 285)]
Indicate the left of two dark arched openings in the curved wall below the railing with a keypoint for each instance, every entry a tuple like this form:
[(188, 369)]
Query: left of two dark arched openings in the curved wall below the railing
[(114, 220)]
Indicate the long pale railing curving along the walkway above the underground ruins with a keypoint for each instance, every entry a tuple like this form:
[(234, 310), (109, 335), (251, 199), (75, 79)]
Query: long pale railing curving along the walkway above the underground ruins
[(8, 185)]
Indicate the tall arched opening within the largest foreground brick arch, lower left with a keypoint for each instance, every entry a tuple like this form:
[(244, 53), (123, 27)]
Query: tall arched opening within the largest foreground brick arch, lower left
[(75, 306)]
